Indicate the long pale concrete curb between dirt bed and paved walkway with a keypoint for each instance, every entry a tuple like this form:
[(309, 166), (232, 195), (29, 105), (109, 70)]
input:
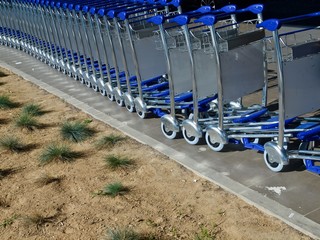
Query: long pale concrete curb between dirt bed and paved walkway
[(269, 206)]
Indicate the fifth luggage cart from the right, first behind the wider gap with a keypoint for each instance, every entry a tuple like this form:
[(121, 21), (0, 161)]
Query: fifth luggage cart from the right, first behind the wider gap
[(148, 67)]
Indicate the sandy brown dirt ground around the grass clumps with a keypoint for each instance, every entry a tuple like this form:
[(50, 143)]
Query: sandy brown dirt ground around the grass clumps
[(165, 201)]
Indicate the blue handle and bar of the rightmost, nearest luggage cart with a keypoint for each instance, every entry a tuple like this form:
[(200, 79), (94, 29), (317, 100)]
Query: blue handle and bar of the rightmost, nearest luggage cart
[(275, 24)]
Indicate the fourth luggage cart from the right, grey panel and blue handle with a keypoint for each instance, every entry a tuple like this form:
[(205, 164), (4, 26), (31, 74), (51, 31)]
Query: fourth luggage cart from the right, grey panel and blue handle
[(169, 38)]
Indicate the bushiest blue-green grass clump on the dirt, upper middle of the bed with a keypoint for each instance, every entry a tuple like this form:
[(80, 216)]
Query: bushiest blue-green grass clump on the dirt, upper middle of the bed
[(76, 131)]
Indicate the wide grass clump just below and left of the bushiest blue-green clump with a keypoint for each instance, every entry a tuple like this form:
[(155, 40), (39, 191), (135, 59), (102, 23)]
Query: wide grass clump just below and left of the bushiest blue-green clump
[(57, 152)]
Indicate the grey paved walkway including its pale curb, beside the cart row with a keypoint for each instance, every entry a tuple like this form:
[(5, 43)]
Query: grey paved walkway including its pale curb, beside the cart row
[(293, 196)]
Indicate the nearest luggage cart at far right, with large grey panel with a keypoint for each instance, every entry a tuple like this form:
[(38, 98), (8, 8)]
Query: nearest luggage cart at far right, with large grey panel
[(297, 55)]
